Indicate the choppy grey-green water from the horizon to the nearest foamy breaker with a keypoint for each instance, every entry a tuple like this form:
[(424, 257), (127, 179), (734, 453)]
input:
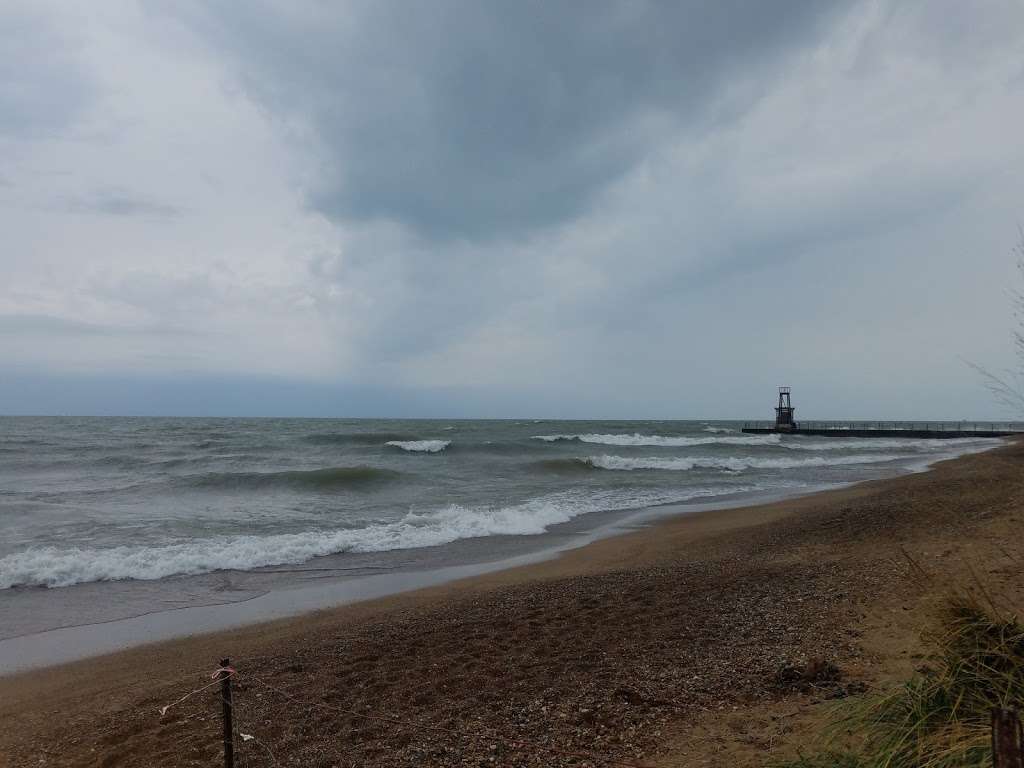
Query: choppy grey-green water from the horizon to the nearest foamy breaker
[(115, 500)]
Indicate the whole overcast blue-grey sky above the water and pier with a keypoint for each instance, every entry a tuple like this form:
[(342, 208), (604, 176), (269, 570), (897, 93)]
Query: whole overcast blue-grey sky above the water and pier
[(479, 208)]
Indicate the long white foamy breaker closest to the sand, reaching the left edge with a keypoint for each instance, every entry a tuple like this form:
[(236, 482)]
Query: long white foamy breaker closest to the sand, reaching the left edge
[(52, 567)]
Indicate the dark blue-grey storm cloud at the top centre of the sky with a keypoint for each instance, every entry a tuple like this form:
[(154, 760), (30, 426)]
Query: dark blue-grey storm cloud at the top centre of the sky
[(464, 119)]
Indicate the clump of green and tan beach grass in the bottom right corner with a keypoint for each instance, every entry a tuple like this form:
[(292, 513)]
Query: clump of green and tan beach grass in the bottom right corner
[(943, 716)]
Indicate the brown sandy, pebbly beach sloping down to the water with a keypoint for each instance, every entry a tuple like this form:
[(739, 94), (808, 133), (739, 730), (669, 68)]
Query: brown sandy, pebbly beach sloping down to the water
[(684, 644)]
